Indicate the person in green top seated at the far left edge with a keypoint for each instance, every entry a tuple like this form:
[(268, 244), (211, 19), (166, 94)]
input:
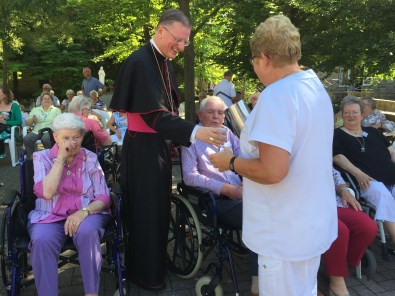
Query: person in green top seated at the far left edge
[(10, 115)]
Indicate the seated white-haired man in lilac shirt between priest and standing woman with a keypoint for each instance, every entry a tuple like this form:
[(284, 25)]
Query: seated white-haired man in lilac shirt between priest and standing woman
[(226, 186)]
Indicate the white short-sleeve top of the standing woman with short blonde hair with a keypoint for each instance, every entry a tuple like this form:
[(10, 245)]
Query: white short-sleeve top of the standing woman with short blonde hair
[(295, 219)]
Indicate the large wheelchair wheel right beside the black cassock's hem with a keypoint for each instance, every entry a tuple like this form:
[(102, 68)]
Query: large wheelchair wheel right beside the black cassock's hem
[(185, 235)]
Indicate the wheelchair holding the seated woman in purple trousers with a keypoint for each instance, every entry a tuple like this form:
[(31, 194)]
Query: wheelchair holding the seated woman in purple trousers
[(14, 237)]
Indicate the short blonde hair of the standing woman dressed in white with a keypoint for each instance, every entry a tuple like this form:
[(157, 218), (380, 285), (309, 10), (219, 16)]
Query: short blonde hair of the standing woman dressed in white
[(279, 39)]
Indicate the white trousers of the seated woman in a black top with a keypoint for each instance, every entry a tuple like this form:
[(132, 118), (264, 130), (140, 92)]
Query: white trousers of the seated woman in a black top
[(383, 200)]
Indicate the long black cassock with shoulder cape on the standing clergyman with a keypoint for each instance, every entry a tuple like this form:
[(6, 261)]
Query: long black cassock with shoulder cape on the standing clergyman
[(146, 160)]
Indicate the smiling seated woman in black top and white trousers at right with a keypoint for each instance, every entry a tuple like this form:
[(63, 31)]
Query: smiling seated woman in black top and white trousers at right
[(366, 154)]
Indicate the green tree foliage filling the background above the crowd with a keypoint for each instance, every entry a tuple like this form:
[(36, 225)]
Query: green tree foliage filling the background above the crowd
[(54, 38)]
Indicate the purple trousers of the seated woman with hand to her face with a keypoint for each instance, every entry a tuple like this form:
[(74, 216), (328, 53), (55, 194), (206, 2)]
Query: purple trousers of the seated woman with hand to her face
[(46, 243)]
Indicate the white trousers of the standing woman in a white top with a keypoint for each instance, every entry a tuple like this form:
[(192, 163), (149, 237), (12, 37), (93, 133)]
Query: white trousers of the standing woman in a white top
[(288, 278)]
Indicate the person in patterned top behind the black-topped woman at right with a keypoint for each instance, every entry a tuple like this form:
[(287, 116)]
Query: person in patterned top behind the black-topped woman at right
[(374, 118)]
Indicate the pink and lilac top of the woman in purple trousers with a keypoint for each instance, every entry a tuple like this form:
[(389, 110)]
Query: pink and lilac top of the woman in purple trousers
[(82, 183)]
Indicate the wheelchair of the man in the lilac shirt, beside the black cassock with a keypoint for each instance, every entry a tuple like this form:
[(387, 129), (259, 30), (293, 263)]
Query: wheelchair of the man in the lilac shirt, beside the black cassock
[(194, 234)]
